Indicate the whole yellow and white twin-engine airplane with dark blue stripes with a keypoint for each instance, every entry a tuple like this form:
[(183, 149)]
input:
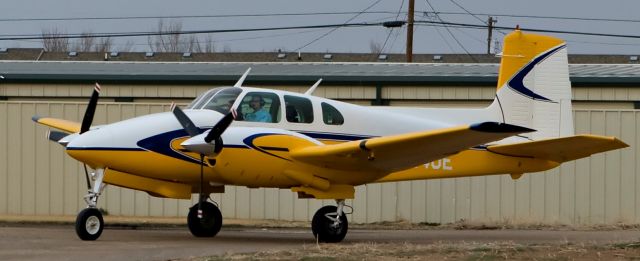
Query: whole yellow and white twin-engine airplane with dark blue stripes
[(320, 148)]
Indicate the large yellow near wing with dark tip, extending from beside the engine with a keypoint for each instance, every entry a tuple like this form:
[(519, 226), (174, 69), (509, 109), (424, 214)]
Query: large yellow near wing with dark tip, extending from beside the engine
[(398, 152)]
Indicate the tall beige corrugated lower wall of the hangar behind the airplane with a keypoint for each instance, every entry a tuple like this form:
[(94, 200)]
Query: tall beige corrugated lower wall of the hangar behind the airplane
[(37, 178)]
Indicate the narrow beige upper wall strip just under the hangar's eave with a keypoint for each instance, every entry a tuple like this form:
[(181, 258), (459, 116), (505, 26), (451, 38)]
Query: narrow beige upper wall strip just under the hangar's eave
[(363, 92)]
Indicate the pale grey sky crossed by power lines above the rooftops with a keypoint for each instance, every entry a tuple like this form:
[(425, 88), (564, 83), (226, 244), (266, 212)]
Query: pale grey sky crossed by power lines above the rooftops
[(428, 39)]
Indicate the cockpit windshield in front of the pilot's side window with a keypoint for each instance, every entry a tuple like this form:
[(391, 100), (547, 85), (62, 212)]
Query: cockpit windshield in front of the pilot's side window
[(218, 99)]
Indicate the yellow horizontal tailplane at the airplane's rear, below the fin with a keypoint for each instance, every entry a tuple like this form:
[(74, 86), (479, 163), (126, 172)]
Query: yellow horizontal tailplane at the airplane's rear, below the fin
[(561, 149)]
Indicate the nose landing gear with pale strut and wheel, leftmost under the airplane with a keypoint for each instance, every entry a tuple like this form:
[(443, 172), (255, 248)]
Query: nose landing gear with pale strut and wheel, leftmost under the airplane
[(89, 222)]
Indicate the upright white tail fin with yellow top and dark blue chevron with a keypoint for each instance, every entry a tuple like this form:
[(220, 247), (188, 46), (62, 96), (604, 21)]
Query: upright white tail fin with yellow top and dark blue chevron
[(534, 90)]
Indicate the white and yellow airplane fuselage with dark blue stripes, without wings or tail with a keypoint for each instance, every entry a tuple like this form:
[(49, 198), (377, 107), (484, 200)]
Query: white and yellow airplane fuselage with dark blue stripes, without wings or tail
[(256, 154)]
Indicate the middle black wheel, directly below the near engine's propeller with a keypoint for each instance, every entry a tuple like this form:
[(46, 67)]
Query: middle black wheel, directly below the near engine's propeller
[(210, 223)]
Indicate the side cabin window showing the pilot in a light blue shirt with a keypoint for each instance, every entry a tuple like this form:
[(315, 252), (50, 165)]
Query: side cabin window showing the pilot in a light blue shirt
[(259, 107)]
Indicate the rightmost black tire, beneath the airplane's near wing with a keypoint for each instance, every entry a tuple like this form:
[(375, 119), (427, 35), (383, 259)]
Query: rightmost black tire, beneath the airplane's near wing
[(323, 228)]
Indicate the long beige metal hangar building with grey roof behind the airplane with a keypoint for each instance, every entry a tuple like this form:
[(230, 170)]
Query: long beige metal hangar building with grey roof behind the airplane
[(37, 178)]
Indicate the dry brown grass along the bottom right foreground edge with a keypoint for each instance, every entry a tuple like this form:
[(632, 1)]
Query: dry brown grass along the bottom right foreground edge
[(444, 251)]
